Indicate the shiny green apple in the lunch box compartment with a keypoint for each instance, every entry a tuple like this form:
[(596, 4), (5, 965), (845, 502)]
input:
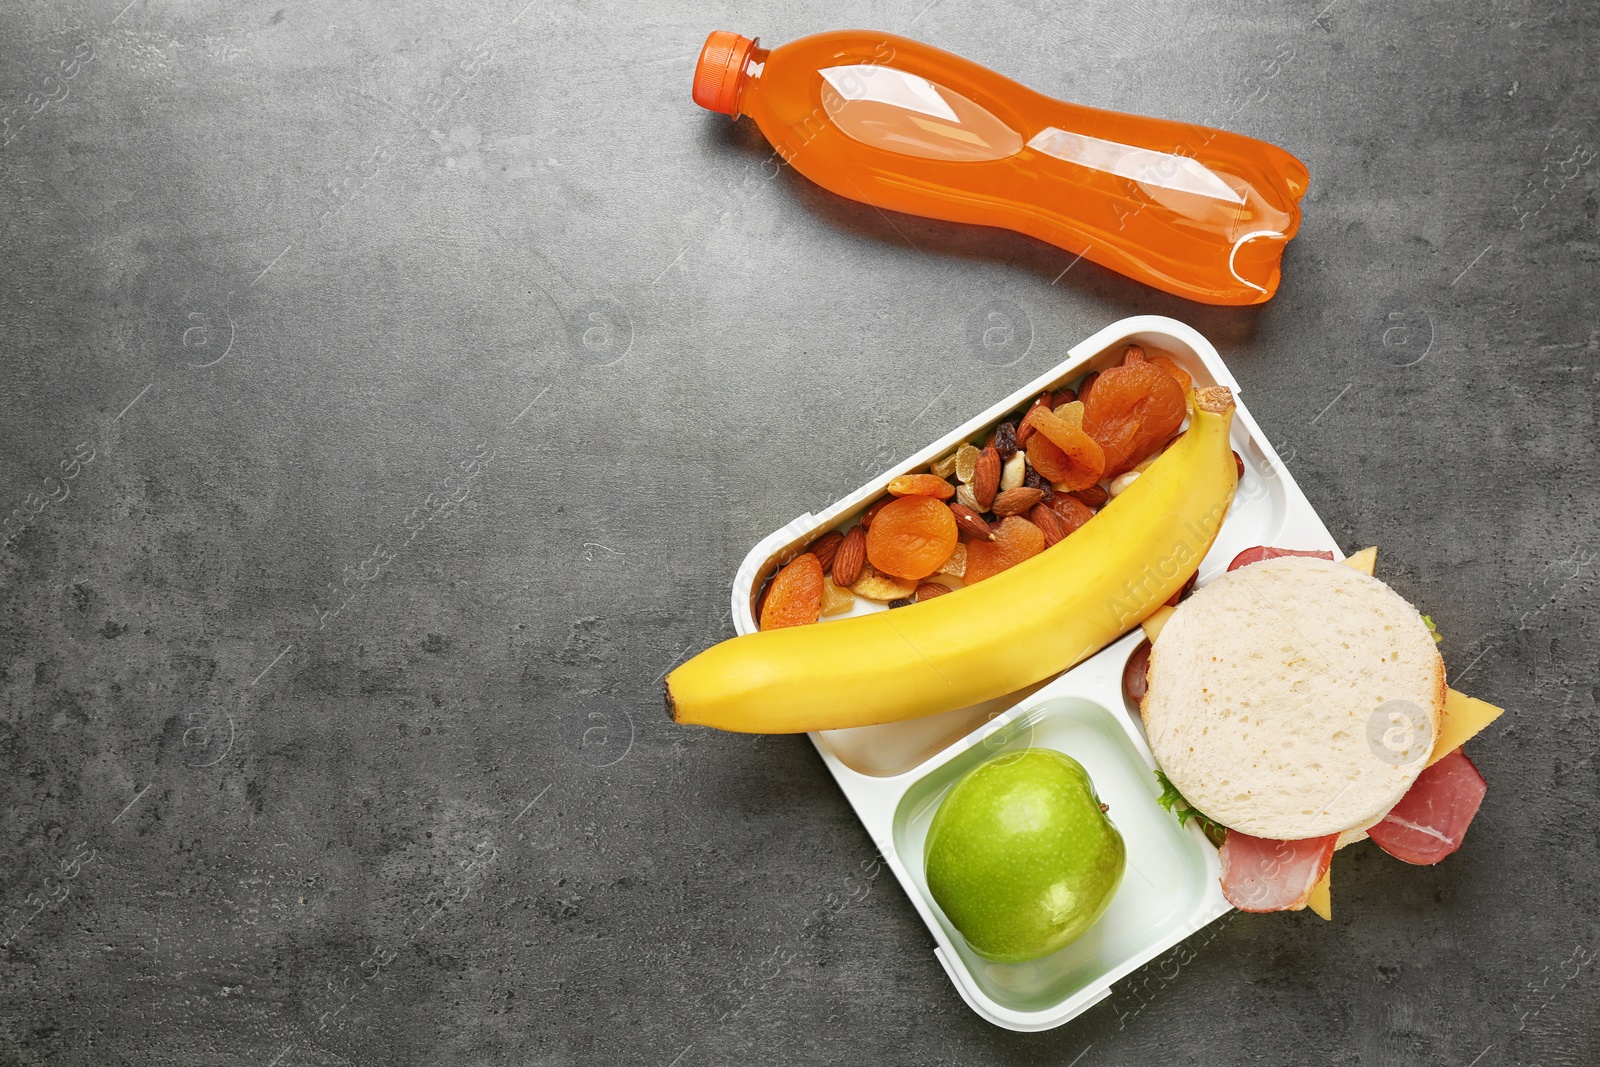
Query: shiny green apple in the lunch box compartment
[(1022, 855)]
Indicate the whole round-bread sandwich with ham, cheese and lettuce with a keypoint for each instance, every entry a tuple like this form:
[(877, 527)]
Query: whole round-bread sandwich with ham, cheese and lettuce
[(1297, 706)]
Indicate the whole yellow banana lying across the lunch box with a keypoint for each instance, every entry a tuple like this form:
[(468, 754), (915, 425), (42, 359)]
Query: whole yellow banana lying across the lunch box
[(996, 637)]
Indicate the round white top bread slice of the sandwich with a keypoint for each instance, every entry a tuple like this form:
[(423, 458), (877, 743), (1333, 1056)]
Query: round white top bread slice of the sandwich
[(1295, 698)]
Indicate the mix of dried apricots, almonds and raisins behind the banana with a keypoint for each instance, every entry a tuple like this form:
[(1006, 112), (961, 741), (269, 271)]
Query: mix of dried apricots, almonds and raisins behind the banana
[(1033, 482)]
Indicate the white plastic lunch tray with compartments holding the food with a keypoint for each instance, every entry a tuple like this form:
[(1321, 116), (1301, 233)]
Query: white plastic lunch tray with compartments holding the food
[(897, 775)]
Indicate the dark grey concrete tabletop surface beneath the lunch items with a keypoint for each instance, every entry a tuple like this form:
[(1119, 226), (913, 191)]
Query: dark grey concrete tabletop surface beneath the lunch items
[(399, 385)]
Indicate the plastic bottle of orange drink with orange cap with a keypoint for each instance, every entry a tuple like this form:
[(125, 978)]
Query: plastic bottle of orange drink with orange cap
[(906, 127)]
